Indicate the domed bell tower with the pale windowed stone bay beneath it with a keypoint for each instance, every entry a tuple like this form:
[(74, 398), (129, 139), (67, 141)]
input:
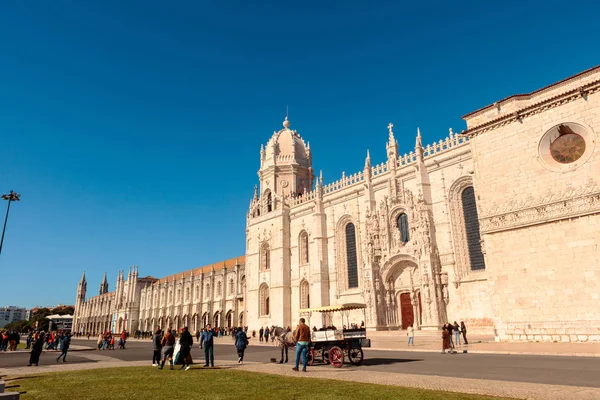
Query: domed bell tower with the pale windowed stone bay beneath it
[(285, 172)]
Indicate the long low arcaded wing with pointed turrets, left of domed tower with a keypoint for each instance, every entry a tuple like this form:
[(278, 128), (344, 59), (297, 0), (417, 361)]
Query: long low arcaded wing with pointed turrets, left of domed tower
[(210, 294)]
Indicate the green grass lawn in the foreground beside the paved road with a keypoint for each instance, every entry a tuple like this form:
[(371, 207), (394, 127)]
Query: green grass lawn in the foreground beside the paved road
[(150, 383)]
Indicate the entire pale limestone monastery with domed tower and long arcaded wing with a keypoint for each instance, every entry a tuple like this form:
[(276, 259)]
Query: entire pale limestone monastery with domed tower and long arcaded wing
[(498, 226)]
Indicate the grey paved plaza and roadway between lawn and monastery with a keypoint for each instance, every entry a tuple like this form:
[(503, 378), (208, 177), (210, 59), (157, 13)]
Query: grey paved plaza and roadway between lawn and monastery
[(529, 376)]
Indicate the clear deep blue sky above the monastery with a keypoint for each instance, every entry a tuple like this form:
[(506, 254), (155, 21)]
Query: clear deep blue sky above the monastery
[(132, 129)]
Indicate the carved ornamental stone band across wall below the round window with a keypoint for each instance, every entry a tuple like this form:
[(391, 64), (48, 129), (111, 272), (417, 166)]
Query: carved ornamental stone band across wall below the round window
[(554, 205)]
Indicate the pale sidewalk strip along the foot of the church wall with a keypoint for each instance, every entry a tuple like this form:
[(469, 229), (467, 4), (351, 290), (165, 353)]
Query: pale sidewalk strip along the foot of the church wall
[(478, 344)]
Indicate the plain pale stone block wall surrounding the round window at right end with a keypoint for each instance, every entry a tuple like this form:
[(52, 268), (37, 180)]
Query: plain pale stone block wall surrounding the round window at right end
[(540, 219)]
